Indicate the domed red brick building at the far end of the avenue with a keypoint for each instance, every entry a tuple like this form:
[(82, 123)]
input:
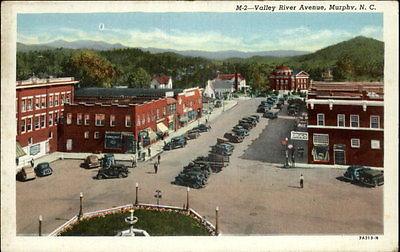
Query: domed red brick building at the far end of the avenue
[(284, 80)]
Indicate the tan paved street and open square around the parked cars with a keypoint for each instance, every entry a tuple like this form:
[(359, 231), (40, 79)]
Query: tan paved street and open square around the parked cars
[(254, 197)]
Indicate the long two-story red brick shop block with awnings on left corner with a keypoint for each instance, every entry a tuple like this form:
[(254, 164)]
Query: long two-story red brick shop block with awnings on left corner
[(120, 120)]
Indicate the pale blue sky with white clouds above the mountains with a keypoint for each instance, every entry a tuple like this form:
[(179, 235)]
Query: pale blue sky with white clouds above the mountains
[(202, 31)]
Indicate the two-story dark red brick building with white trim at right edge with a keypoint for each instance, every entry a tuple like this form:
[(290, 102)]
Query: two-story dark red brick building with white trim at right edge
[(346, 124)]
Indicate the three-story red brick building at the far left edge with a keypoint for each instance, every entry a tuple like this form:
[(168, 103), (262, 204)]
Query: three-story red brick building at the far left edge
[(39, 106)]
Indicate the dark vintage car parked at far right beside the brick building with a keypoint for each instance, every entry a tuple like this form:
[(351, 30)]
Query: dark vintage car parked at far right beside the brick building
[(364, 175)]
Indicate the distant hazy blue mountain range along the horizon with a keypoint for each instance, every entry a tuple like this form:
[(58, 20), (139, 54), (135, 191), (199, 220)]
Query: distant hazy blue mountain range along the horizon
[(103, 46)]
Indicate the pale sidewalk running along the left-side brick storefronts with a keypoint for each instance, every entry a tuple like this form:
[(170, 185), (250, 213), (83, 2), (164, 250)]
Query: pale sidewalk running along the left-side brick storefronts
[(155, 148)]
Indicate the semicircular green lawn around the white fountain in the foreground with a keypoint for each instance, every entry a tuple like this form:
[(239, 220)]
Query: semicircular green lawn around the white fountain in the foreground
[(154, 222)]
